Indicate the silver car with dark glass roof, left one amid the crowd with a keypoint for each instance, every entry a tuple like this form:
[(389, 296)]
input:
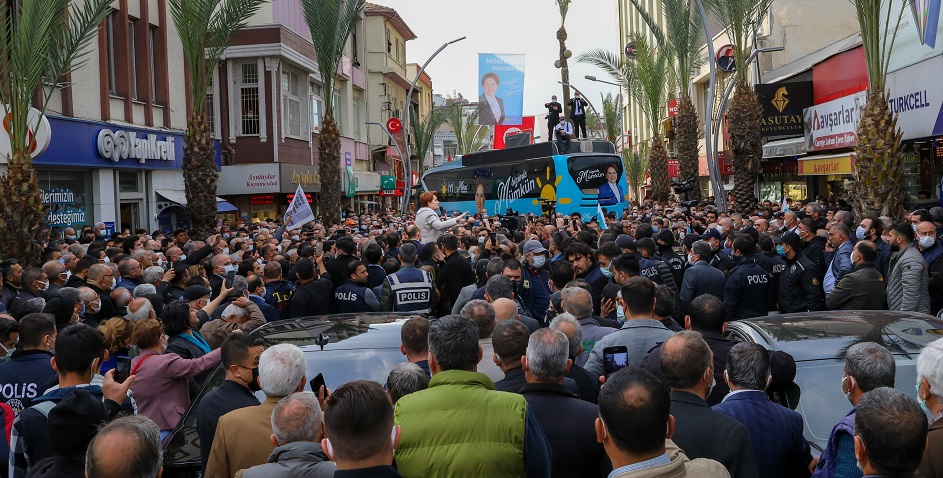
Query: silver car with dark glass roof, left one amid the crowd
[(343, 347)]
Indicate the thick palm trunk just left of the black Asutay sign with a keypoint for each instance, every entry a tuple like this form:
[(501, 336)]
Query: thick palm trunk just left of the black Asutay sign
[(745, 116)]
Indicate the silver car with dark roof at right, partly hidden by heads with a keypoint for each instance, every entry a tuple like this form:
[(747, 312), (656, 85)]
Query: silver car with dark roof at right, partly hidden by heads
[(818, 342)]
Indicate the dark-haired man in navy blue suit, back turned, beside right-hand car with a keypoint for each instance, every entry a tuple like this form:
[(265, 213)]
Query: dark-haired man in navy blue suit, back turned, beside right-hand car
[(775, 431)]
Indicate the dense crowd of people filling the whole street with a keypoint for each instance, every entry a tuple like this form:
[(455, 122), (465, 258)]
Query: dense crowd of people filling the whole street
[(504, 372)]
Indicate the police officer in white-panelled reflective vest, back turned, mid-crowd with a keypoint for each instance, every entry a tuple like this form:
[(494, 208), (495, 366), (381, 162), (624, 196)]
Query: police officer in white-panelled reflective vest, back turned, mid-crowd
[(409, 289)]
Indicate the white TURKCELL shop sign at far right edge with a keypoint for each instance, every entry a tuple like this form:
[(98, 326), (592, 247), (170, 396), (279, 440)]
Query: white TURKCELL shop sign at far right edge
[(917, 99)]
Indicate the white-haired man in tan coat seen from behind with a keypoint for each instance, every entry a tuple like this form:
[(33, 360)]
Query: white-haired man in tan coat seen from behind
[(242, 436)]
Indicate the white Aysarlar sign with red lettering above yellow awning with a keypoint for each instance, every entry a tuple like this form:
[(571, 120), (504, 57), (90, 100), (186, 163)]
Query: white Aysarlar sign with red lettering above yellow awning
[(834, 124)]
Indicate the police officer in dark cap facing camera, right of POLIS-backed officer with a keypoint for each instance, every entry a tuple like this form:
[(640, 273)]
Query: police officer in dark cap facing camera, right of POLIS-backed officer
[(799, 287)]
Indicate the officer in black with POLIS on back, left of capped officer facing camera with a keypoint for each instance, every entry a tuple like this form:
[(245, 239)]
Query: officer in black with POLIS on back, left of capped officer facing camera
[(747, 292)]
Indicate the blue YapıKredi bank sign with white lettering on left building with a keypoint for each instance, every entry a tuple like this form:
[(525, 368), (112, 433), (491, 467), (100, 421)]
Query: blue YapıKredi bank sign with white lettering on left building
[(77, 142)]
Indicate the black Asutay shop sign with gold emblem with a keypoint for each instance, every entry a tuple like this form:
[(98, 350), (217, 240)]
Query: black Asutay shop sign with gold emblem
[(782, 107)]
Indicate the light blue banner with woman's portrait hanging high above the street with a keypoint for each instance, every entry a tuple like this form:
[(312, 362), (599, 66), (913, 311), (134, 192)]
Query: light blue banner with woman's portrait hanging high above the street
[(500, 89)]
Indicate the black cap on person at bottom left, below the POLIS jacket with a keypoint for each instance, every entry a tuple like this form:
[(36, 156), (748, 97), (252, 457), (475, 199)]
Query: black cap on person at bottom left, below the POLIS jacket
[(73, 422)]
